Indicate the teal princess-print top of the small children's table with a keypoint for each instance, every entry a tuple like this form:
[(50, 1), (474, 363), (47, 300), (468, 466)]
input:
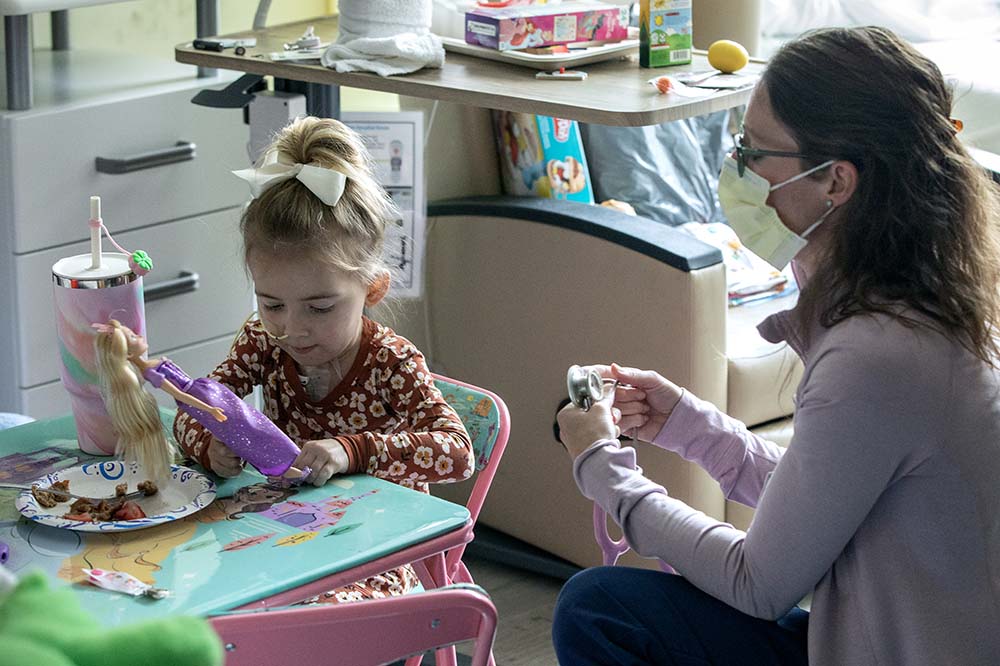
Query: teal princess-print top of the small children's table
[(252, 542)]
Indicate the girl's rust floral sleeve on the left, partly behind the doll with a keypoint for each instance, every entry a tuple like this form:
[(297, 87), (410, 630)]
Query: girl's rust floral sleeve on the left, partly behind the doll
[(240, 372)]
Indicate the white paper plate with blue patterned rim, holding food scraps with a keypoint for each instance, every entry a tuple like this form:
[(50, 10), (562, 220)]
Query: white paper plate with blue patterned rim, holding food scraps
[(187, 492)]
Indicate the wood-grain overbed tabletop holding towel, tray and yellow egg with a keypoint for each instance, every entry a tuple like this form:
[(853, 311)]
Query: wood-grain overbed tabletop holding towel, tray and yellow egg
[(615, 93)]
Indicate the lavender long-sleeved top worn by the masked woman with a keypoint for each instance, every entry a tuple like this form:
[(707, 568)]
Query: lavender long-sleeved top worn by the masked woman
[(886, 505)]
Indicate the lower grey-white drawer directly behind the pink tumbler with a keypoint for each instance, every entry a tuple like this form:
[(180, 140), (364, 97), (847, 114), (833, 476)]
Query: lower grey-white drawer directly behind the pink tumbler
[(208, 245)]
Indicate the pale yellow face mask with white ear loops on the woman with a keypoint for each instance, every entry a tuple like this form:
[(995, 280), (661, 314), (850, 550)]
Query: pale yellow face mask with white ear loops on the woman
[(744, 203)]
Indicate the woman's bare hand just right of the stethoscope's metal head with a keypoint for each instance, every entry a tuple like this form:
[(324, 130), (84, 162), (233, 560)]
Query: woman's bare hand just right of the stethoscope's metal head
[(645, 401)]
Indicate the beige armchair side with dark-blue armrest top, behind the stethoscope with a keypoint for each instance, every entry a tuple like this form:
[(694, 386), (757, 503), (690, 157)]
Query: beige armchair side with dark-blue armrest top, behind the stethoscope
[(518, 289)]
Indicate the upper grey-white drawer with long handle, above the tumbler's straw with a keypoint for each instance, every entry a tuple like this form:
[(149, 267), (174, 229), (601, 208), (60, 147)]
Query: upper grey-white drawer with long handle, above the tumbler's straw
[(54, 175)]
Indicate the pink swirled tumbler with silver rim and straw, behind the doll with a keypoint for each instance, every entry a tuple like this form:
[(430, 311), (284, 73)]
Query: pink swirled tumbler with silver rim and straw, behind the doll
[(85, 295)]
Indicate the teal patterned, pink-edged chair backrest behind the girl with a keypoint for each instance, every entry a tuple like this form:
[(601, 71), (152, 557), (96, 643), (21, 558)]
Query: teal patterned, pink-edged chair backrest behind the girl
[(488, 422)]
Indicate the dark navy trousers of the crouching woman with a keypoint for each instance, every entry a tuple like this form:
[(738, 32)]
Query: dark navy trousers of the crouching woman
[(623, 616)]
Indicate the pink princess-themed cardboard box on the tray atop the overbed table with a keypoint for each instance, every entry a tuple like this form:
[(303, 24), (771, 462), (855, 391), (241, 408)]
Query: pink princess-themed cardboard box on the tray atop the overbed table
[(535, 26)]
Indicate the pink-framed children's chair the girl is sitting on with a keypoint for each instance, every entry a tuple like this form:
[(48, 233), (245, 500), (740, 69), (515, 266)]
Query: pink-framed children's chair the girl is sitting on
[(488, 422)]
